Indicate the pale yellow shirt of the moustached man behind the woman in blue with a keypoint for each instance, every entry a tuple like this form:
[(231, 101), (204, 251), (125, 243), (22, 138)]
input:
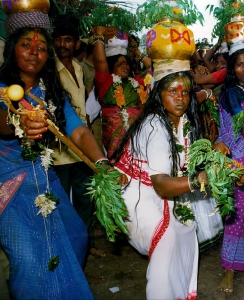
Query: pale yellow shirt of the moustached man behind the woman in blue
[(66, 156)]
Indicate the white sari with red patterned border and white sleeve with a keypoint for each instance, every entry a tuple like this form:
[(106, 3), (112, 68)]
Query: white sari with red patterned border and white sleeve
[(154, 231)]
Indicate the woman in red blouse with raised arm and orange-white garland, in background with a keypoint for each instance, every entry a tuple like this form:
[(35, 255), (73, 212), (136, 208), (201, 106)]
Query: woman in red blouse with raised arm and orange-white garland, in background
[(121, 96)]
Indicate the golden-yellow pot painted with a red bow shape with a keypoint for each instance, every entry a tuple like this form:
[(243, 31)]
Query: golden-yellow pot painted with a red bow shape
[(170, 40)]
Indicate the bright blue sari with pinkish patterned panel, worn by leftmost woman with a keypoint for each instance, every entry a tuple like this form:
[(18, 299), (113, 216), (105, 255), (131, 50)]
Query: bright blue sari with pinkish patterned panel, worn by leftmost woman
[(29, 240)]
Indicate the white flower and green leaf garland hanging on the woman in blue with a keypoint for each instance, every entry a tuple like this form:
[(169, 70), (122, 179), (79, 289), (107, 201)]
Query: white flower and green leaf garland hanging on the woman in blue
[(32, 149)]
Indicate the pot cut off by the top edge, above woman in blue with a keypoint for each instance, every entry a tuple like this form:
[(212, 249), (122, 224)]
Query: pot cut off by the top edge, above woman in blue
[(15, 6)]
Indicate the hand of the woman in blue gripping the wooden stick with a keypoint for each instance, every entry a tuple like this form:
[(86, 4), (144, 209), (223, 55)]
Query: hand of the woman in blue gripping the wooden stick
[(33, 129)]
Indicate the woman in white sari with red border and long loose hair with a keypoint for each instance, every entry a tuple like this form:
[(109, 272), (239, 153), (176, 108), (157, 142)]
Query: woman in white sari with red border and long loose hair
[(149, 155)]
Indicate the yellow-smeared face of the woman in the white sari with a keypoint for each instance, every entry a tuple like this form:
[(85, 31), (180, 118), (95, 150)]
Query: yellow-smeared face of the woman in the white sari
[(176, 98)]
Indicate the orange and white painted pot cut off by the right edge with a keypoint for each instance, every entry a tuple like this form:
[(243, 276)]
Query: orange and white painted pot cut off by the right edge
[(234, 30)]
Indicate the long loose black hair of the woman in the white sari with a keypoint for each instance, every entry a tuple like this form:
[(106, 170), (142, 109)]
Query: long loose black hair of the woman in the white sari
[(153, 107)]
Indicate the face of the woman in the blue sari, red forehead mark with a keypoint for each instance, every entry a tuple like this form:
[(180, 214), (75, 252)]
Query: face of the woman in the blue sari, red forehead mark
[(31, 53)]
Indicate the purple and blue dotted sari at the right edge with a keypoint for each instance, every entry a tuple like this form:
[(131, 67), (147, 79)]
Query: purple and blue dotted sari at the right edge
[(232, 255)]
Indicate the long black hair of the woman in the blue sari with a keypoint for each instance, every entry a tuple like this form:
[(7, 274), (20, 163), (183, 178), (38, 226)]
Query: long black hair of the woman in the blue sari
[(10, 73)]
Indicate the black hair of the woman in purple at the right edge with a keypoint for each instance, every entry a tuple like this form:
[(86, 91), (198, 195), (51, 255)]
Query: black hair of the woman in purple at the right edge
[(230, 77)]
